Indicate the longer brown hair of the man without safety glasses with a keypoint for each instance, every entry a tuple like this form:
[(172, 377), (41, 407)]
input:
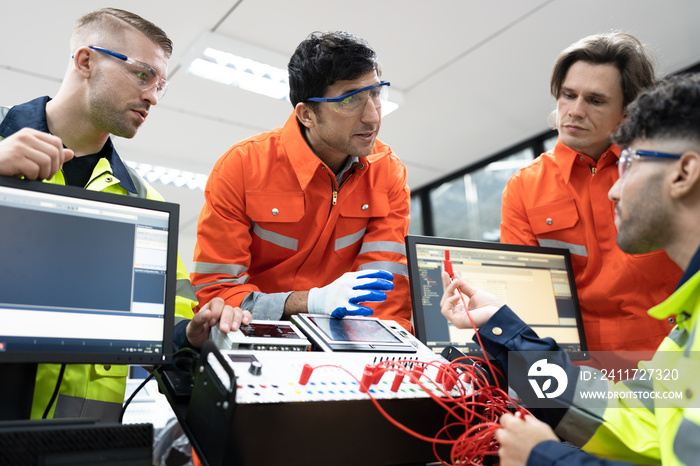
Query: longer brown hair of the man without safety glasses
[(620, 49)]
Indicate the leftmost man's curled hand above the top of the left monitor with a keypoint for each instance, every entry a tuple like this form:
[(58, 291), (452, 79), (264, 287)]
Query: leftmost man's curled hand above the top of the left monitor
[(32, 154)]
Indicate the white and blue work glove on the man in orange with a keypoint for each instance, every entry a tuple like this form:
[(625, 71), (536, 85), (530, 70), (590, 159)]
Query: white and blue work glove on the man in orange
[(342, 297)]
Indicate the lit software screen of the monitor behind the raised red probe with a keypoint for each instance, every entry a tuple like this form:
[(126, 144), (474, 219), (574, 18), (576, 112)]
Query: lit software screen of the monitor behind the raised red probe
[(535, 285)]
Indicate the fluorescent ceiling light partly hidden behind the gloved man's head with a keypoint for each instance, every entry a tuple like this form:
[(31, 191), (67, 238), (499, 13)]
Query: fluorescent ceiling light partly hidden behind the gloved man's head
[(224, 60)]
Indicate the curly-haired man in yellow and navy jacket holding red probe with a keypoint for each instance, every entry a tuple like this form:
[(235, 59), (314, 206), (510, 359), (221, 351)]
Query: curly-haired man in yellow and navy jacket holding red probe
[(653, 417)]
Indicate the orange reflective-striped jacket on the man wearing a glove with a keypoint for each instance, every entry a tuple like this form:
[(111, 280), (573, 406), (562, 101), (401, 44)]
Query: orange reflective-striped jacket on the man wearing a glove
[(276, 220)]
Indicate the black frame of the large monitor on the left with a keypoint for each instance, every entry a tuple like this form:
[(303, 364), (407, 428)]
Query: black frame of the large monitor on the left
[(78, 356)]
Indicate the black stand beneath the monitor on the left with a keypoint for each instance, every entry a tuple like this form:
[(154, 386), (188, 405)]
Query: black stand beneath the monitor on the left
[(16, 390)]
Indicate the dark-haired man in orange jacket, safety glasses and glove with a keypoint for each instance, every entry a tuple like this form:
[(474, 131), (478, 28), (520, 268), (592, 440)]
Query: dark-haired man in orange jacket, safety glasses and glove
[(311, 217)]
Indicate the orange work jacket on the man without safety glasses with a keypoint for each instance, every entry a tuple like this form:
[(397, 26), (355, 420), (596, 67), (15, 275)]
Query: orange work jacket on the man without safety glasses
[(561, 200)]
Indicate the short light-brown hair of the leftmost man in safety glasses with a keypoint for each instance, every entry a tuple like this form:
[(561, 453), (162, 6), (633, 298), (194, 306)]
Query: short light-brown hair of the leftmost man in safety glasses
[(113, 19)]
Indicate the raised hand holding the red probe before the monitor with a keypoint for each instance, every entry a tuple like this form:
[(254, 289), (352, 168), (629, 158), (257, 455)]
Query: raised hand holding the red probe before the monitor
[(481, 304)]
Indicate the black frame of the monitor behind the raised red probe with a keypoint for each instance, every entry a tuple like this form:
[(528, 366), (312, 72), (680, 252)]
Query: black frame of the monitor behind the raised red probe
[(419, 317)]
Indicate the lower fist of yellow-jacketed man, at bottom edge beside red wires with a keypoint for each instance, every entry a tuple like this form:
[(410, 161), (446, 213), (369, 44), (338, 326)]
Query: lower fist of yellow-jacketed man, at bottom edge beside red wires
[(519, 436)]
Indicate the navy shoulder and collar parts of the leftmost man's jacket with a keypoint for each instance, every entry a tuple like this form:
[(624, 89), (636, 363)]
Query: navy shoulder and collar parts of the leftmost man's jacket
[(32, 114)]
